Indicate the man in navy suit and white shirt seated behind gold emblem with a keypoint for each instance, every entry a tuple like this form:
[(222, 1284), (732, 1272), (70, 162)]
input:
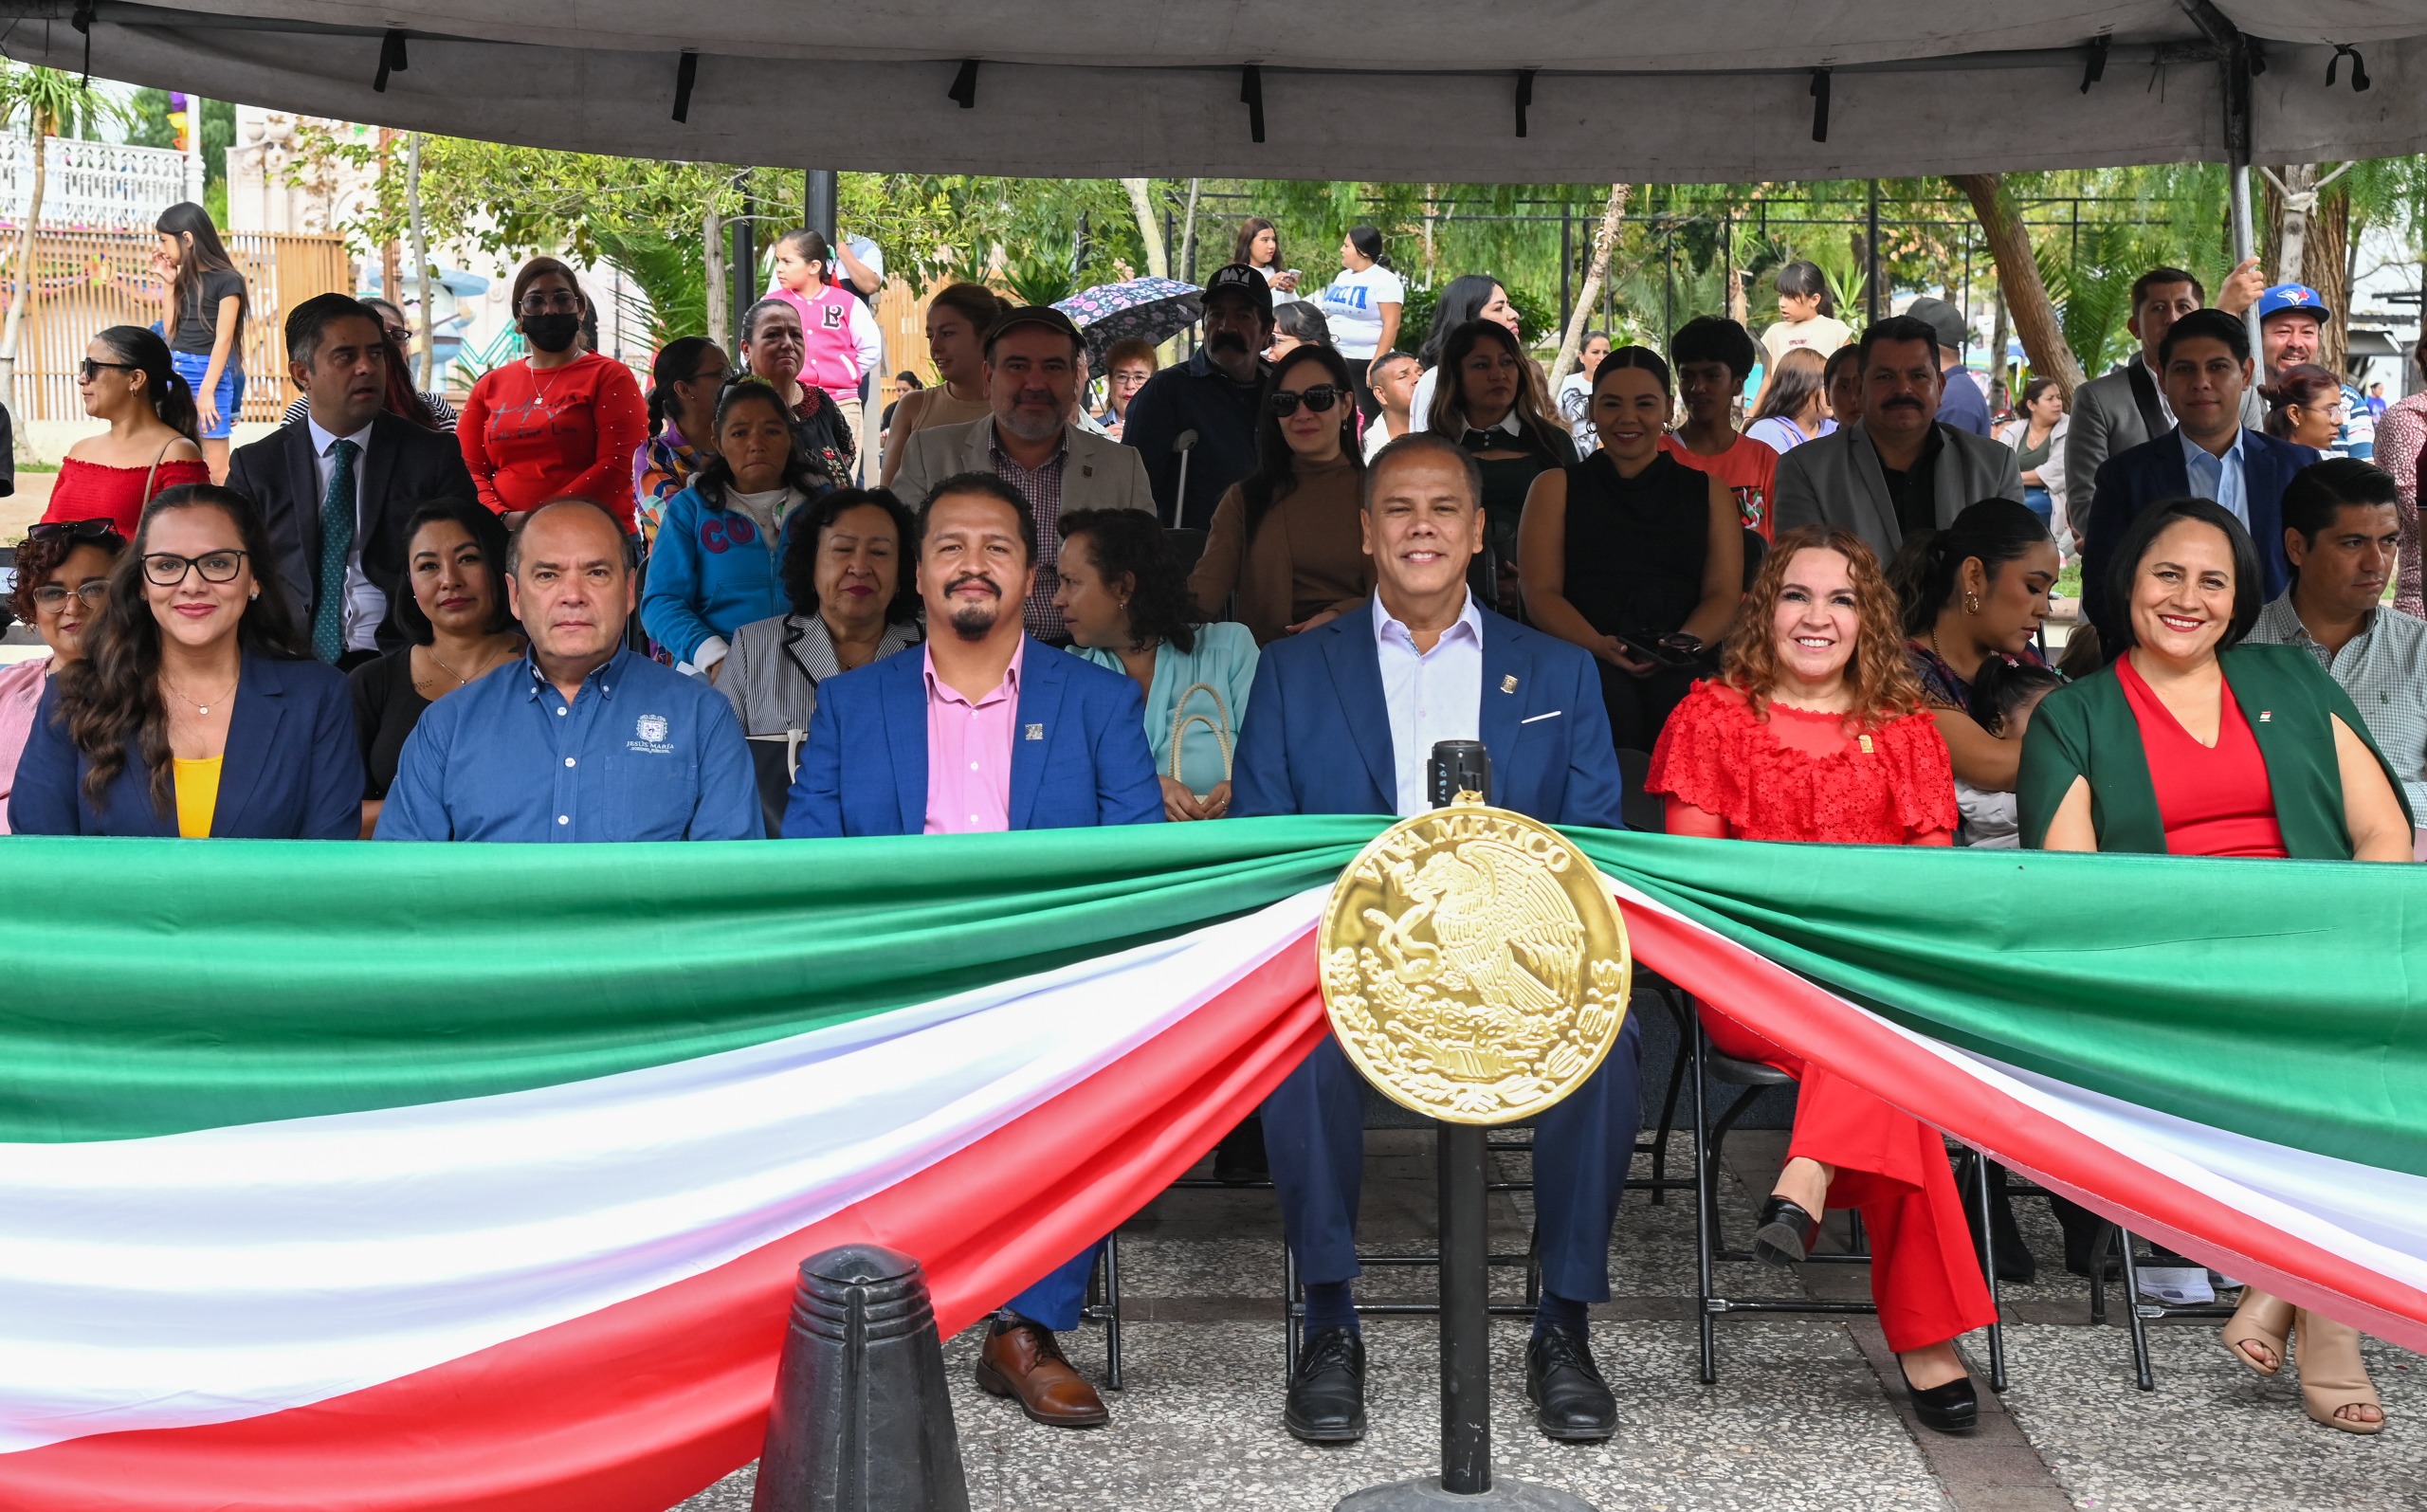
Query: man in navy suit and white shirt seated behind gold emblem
[(1341, 722)]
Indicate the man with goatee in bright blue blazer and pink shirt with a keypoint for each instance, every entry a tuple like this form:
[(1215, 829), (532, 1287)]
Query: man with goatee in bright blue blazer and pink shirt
[(987, 729)]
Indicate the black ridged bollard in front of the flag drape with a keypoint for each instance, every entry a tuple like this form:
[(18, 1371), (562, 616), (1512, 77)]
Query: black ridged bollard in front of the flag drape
[(863, 1421)]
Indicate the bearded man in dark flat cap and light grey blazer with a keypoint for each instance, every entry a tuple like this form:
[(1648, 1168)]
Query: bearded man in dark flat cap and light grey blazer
[(1033, 363)]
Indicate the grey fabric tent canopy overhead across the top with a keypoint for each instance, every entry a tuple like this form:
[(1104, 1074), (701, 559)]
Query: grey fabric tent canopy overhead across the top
[(1414, 91)]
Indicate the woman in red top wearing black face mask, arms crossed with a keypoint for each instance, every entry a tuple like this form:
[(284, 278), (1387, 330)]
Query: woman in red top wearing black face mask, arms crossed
[(559, 421)]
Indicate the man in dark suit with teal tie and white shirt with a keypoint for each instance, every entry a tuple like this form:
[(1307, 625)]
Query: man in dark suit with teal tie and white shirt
[(339, 487)]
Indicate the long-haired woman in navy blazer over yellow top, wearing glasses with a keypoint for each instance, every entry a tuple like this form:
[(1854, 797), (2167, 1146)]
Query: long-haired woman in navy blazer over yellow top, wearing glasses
[(193, 710)]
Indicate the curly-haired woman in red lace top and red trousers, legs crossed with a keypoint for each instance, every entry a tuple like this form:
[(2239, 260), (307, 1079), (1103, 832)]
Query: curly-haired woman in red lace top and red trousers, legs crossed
[(1817, 732)]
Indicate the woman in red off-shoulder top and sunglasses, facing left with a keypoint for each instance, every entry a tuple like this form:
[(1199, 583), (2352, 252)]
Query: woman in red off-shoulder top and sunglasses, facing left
[(149, 448)]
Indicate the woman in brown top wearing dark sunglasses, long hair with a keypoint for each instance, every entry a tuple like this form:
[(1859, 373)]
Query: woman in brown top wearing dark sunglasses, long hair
[(1288, 545)]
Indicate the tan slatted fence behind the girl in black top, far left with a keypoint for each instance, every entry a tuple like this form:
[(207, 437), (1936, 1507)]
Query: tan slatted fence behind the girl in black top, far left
[(89, 280)]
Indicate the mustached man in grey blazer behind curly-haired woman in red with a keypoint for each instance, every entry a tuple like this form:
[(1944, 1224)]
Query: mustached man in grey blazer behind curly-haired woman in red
[(1897, 470)]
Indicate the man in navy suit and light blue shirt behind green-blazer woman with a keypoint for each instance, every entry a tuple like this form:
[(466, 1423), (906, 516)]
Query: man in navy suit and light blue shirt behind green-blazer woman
[(2205, 370)]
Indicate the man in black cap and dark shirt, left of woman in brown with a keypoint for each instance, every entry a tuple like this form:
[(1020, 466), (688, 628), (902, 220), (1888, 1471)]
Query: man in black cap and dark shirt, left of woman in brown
[(1210, 397)]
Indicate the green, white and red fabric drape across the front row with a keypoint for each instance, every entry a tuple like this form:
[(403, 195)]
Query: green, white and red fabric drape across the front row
[(394, 1178)]
